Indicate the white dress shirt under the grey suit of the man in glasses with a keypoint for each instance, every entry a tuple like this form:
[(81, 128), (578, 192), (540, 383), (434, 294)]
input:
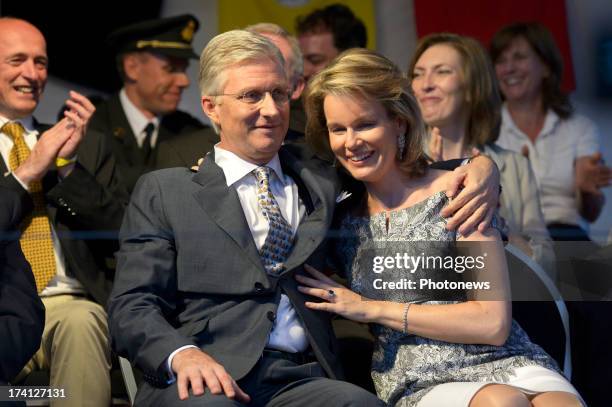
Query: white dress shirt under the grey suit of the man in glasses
[(288, 333)]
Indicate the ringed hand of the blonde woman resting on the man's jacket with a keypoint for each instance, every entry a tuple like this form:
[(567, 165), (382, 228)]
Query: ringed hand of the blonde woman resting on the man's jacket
[(336, 298)]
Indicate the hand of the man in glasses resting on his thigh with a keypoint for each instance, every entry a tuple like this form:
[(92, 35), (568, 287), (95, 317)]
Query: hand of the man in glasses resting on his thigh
[(196, 369)]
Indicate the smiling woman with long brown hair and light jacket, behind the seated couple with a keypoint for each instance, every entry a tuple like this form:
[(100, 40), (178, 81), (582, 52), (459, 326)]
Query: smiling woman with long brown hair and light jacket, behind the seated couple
[(455, 87)]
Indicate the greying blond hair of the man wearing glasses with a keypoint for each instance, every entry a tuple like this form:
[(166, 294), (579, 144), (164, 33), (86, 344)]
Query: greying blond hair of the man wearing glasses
[(231, 48)]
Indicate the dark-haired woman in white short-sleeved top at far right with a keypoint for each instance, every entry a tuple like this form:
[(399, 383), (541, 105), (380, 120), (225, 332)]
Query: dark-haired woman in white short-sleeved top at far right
[(538, 121)]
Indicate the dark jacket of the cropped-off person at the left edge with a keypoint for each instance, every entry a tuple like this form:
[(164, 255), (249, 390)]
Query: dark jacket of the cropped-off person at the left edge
[(22, 314)]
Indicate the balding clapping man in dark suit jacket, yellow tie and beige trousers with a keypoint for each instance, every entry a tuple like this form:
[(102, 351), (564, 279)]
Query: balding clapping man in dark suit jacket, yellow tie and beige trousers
[(73, 197)]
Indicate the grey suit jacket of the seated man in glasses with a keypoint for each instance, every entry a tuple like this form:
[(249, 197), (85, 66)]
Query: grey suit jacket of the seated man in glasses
[(189, 272)]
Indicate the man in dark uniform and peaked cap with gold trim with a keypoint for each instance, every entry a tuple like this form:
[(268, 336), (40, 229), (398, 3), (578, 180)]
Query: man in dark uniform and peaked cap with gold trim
[(152, 58)]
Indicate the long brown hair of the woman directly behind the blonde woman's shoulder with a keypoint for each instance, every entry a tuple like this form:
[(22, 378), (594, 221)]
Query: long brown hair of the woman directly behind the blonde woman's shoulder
[(480, 84)]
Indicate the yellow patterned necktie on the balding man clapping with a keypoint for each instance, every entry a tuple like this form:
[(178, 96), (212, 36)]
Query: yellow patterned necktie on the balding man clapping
[(35, 240)]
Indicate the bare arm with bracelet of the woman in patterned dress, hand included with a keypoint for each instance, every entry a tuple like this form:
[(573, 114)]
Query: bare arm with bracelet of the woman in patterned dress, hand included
[(484, 319)]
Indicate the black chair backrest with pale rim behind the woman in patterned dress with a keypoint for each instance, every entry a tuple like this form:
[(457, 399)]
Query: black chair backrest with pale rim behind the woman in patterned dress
[(539, 307)]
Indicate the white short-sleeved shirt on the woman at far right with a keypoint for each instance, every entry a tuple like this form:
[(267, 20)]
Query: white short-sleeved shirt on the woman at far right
[(553, 157)]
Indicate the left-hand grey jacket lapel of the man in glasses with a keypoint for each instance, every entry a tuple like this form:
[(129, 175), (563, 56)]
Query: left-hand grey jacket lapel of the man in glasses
[(222, 204)]
